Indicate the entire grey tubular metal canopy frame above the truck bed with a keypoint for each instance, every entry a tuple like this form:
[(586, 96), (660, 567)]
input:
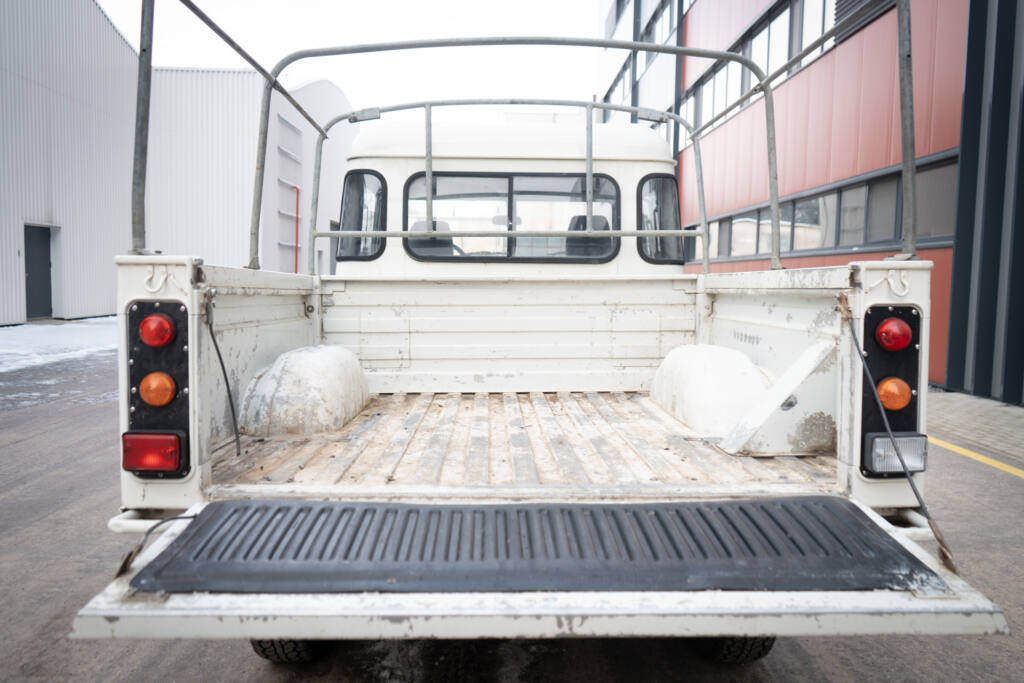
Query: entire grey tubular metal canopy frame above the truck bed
[(762, 83)]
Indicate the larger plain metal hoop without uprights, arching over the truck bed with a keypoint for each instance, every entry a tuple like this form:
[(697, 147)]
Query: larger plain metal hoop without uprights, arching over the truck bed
[(480, 42)]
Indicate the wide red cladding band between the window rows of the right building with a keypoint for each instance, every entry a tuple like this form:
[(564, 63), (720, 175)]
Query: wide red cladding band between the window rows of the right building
[(839, 117)]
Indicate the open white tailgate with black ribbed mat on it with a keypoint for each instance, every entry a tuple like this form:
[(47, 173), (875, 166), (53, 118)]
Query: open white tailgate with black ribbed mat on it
[(799, 566)]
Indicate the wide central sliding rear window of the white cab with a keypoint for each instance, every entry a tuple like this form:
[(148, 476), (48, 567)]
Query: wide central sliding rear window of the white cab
[(463, 204)]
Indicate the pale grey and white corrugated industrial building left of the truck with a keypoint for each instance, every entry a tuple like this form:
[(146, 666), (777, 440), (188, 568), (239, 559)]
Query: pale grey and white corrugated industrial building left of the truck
[(67, 126)]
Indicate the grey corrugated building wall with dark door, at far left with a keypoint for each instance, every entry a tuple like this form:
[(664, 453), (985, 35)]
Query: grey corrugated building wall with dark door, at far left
[(67, 98)]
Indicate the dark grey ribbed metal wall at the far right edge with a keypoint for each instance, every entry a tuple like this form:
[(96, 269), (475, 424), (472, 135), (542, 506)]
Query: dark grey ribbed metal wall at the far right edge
[(987, 327)]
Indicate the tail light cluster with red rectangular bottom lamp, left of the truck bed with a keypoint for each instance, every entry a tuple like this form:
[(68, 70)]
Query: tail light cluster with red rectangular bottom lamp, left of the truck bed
[(156, 445)]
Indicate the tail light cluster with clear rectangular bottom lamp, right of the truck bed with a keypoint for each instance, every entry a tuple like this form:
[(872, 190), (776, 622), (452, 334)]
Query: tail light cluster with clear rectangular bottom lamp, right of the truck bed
[(892, 346)]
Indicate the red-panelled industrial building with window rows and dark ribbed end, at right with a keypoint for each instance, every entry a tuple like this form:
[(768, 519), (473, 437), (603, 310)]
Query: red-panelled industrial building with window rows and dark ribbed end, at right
[(839, 150)]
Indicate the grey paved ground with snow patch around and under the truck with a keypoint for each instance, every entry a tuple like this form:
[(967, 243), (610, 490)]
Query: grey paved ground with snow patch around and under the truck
[(59, 485)]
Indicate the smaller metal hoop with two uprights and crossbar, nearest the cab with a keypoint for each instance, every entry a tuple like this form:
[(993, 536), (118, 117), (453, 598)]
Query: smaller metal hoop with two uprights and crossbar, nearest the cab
[(428, 106)]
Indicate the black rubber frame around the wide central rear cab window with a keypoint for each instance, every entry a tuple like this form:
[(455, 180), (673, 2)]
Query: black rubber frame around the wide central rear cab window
[(614, 228)]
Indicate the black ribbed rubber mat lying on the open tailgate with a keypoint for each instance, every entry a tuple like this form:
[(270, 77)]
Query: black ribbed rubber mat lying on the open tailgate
[(793, 544)]
